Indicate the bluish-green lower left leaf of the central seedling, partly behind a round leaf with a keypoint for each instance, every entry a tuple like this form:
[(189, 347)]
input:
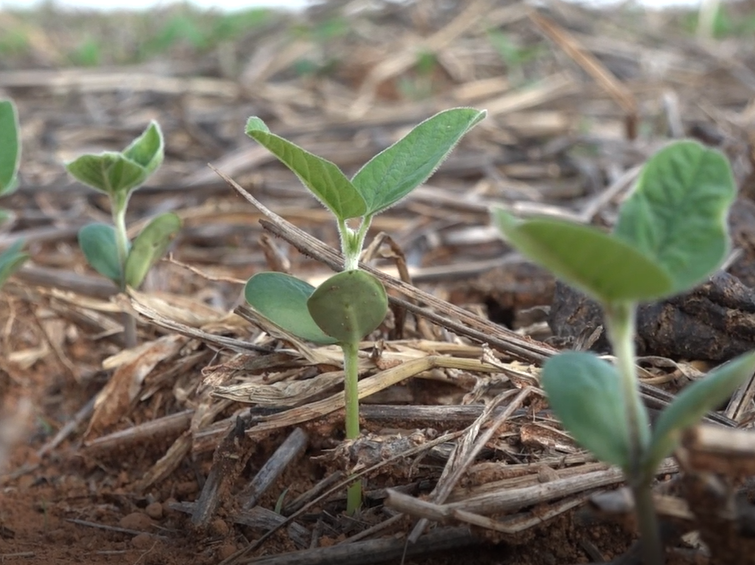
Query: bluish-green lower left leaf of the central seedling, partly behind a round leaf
[(283, 299)]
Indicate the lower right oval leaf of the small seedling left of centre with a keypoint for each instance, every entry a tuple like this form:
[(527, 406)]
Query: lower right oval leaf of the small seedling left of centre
[(149, 246)]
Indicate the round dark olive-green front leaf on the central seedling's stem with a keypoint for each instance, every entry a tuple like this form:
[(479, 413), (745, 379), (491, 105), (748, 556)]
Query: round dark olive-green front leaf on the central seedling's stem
[(349, 305)]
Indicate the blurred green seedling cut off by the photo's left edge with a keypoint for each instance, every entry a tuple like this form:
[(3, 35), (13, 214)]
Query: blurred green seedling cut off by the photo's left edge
[(10, 155)]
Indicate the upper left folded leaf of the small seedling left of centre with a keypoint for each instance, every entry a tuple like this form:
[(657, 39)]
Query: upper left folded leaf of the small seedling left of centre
[(108, 172)]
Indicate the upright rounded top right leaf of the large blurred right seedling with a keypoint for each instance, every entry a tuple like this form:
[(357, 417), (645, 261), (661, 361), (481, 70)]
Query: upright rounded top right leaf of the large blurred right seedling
[(677, 213)]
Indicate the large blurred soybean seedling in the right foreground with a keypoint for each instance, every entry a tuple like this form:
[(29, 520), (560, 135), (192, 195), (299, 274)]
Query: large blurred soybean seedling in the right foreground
[(670, 236)]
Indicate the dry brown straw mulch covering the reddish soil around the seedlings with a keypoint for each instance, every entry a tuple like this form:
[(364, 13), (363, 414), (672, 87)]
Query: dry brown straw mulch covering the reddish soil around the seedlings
[(219, 438)]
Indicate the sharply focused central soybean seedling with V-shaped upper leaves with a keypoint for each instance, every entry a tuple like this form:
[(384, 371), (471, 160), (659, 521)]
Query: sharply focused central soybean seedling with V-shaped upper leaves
[(353, 303)]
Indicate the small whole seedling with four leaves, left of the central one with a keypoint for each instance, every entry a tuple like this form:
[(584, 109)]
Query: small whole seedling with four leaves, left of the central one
[(107, 247)]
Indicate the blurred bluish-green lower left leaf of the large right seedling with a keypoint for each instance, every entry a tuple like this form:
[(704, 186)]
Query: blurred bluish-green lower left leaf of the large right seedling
[(585, 394)]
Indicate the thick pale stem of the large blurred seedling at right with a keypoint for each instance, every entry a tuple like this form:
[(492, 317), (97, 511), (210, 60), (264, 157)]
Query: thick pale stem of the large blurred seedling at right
[(620, 325)]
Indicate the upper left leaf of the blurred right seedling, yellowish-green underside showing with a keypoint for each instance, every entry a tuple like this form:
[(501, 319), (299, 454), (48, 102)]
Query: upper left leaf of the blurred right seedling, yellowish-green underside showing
[(596, 263)]
